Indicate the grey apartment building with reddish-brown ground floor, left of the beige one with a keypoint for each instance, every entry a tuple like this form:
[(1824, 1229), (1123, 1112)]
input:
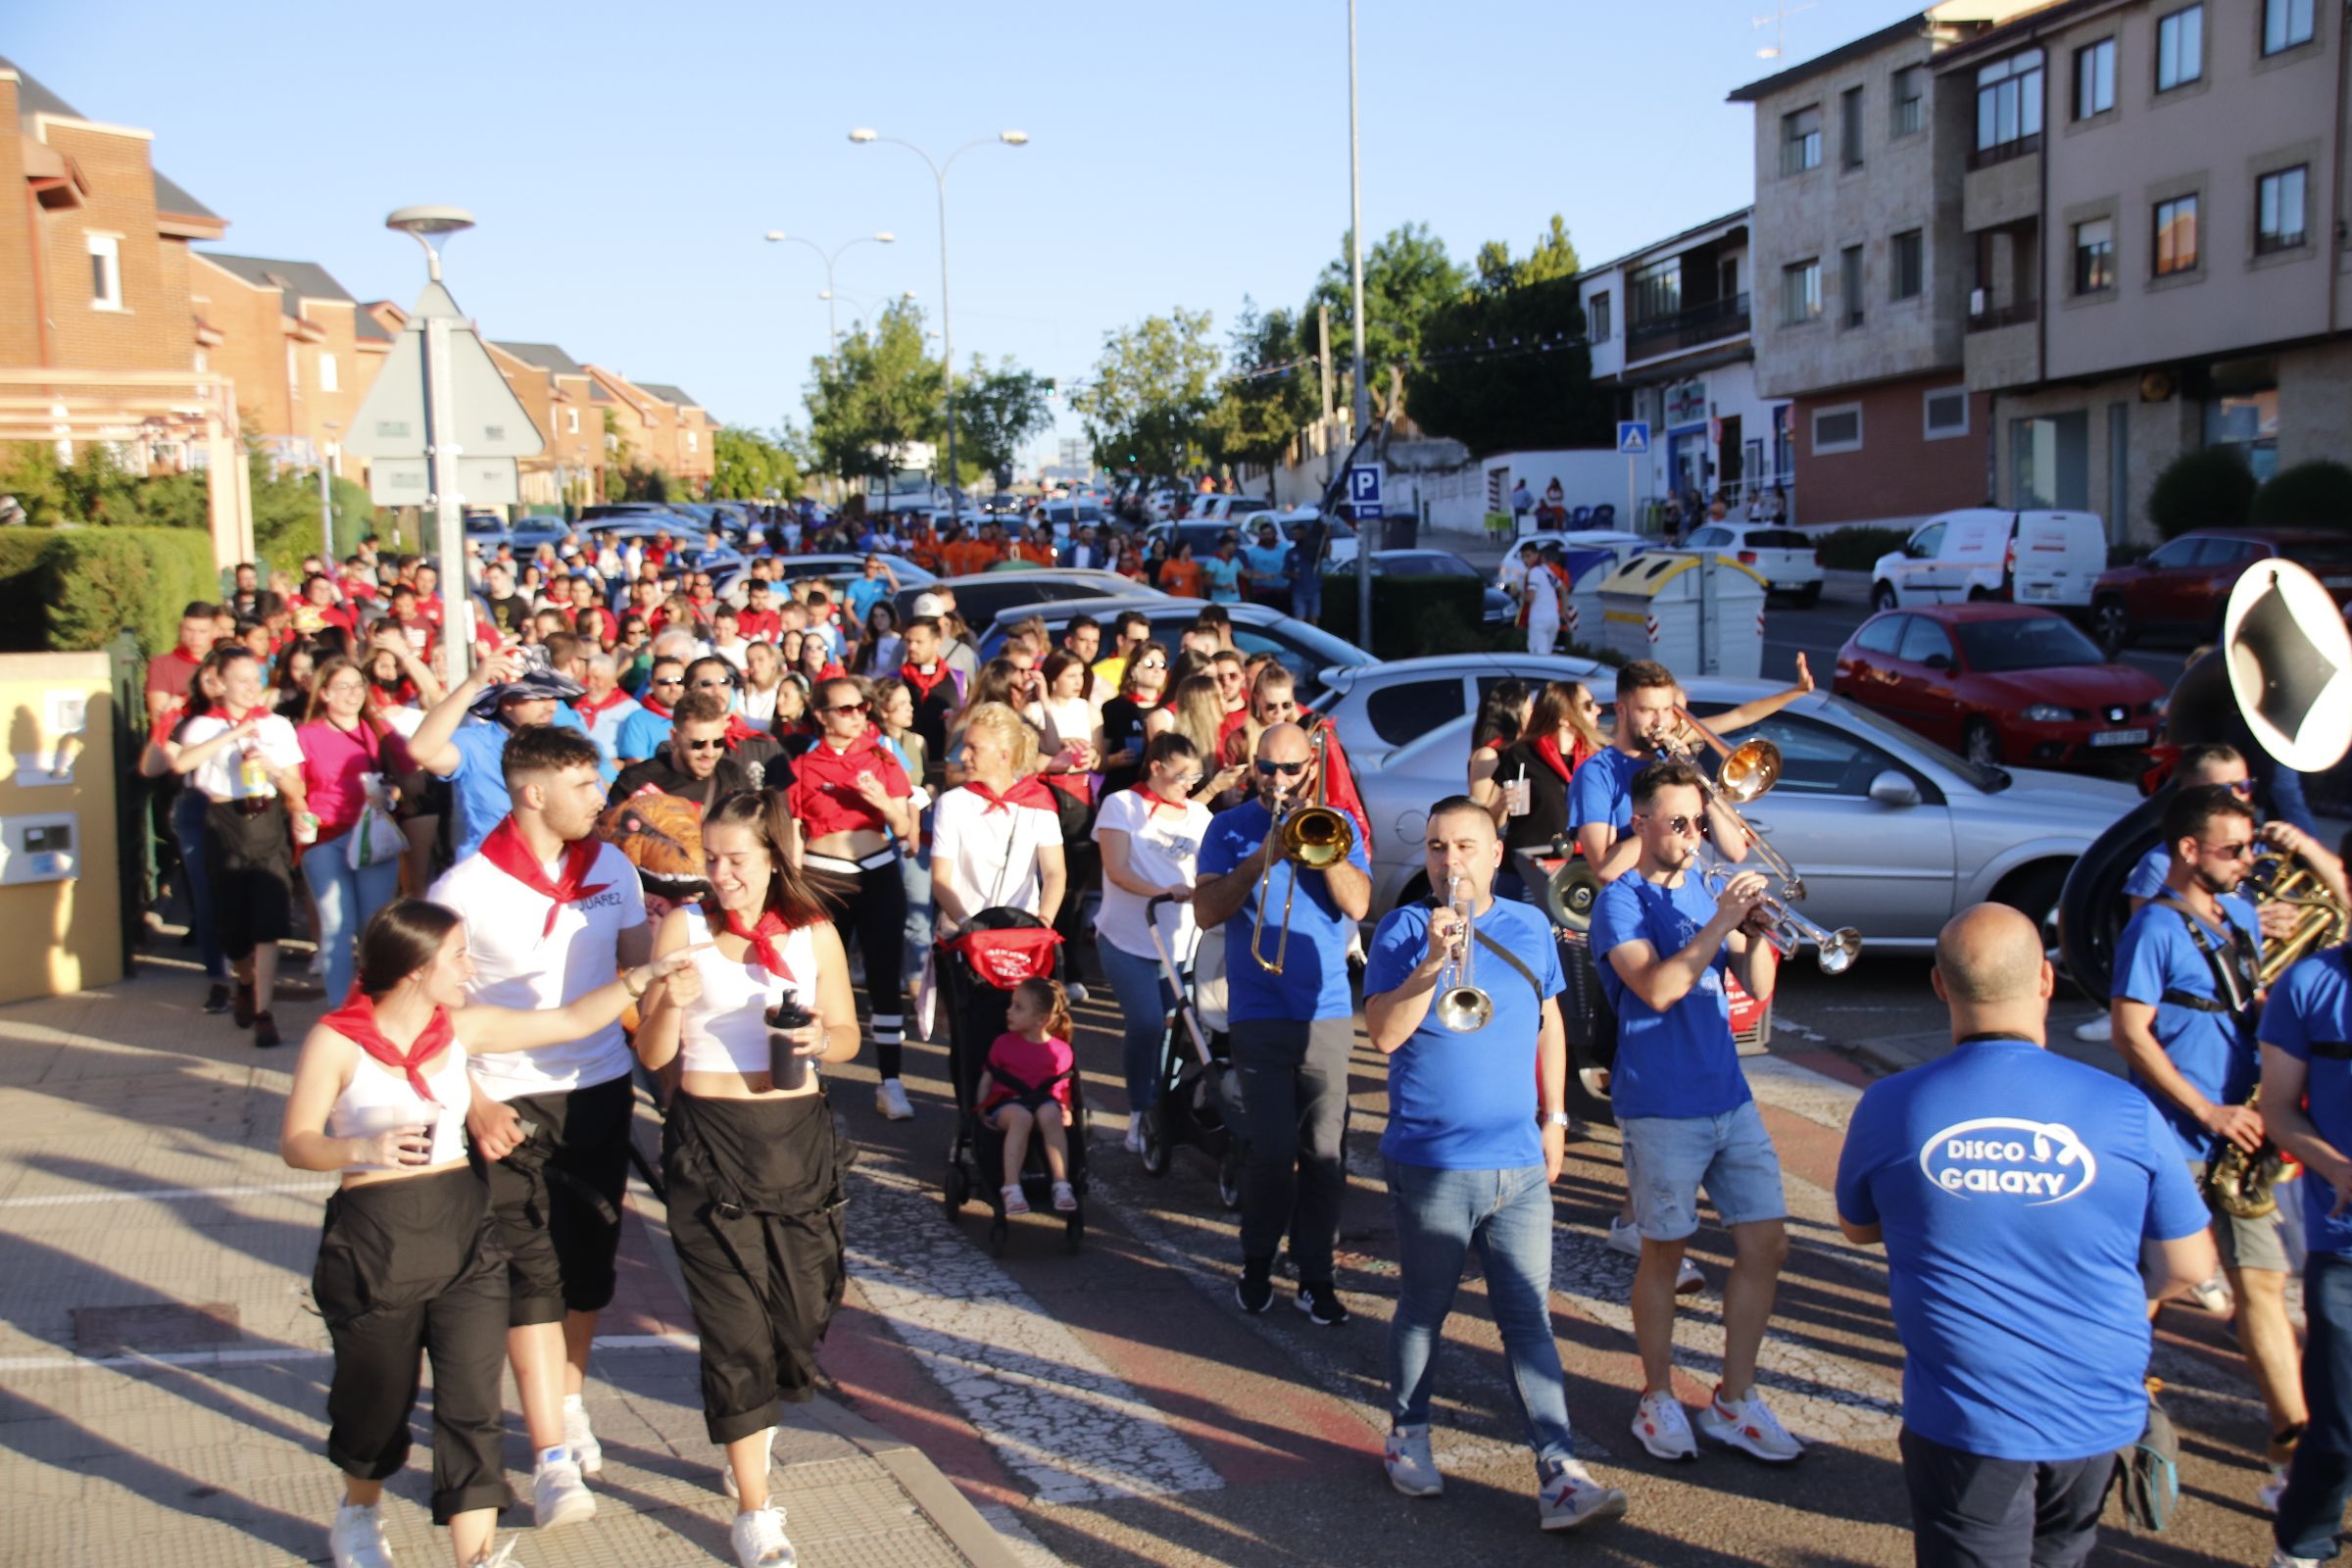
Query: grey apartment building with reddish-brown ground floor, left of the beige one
[(1862, 269)]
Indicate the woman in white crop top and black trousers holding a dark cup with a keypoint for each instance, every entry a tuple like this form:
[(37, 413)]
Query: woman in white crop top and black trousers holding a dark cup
[(749, 1155)]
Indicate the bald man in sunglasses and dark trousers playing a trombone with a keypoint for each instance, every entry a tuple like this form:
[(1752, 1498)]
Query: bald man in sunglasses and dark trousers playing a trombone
[(1292, 864)]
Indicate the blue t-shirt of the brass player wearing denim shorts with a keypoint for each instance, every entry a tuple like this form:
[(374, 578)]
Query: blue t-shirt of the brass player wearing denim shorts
[(1683, 1061)]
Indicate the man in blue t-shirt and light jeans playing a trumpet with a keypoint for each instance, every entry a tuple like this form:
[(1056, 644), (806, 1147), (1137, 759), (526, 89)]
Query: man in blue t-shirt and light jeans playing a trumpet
[(1464, 1003)]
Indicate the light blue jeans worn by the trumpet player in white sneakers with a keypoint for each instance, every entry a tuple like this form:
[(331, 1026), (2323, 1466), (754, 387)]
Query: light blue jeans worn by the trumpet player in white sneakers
[(1509, 1219)]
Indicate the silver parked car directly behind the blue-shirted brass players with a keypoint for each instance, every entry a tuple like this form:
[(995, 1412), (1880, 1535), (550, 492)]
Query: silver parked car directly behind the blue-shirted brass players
[(1890, 831)]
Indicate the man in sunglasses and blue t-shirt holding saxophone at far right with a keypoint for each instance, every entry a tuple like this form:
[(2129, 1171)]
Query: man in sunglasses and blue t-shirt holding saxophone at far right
[(2186, 1026)]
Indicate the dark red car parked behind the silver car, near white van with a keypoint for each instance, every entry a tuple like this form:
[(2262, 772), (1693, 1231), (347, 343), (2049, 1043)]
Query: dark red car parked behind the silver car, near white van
[(2003, 683)]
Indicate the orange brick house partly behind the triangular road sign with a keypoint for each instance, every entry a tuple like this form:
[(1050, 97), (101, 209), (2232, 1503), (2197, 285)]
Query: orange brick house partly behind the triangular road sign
[(295, 342)]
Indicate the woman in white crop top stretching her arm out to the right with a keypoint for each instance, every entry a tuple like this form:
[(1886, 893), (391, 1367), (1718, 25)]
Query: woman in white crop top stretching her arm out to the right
[(380, 1094)]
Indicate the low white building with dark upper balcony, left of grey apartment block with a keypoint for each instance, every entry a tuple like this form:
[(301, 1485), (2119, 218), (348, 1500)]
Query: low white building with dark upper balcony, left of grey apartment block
[(1671, 335)]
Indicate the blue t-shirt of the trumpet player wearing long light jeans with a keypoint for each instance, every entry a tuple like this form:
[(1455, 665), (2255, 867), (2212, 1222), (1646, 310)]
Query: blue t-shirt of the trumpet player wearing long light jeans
[(1469, 1101)]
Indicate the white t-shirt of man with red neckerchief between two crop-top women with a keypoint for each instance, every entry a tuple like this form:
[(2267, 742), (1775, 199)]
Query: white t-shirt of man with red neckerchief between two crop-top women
[(519, 967)]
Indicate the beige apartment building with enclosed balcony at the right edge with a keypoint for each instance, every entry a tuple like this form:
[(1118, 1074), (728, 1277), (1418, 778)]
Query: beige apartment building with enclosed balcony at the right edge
[(2153, 210)]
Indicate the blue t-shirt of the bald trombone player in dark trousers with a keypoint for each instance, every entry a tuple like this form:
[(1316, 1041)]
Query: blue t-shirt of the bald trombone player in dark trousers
[(1314, 981)]
